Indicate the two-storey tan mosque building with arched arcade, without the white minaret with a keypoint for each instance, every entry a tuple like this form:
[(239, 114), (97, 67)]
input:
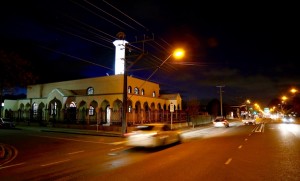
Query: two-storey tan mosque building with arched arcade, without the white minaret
[(95, 101)]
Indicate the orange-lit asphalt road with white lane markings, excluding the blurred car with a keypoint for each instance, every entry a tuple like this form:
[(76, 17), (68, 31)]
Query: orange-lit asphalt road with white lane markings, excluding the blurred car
[(267, 151)]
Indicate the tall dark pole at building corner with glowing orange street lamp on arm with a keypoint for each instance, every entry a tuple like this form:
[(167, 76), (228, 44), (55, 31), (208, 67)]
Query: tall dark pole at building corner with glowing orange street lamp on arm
[(177, 53)]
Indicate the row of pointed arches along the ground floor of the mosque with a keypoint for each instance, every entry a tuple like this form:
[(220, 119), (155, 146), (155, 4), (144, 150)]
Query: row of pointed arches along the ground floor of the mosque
[(94, 112)]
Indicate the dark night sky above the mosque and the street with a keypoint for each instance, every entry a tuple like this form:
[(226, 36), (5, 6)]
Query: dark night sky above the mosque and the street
[(250, 48)]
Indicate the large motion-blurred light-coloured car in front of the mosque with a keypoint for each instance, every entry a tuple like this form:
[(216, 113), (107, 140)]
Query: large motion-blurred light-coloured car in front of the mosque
[(153, 135)]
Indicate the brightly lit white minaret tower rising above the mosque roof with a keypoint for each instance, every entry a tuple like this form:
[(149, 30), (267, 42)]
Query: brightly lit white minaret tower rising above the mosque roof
[(120, 53)]
